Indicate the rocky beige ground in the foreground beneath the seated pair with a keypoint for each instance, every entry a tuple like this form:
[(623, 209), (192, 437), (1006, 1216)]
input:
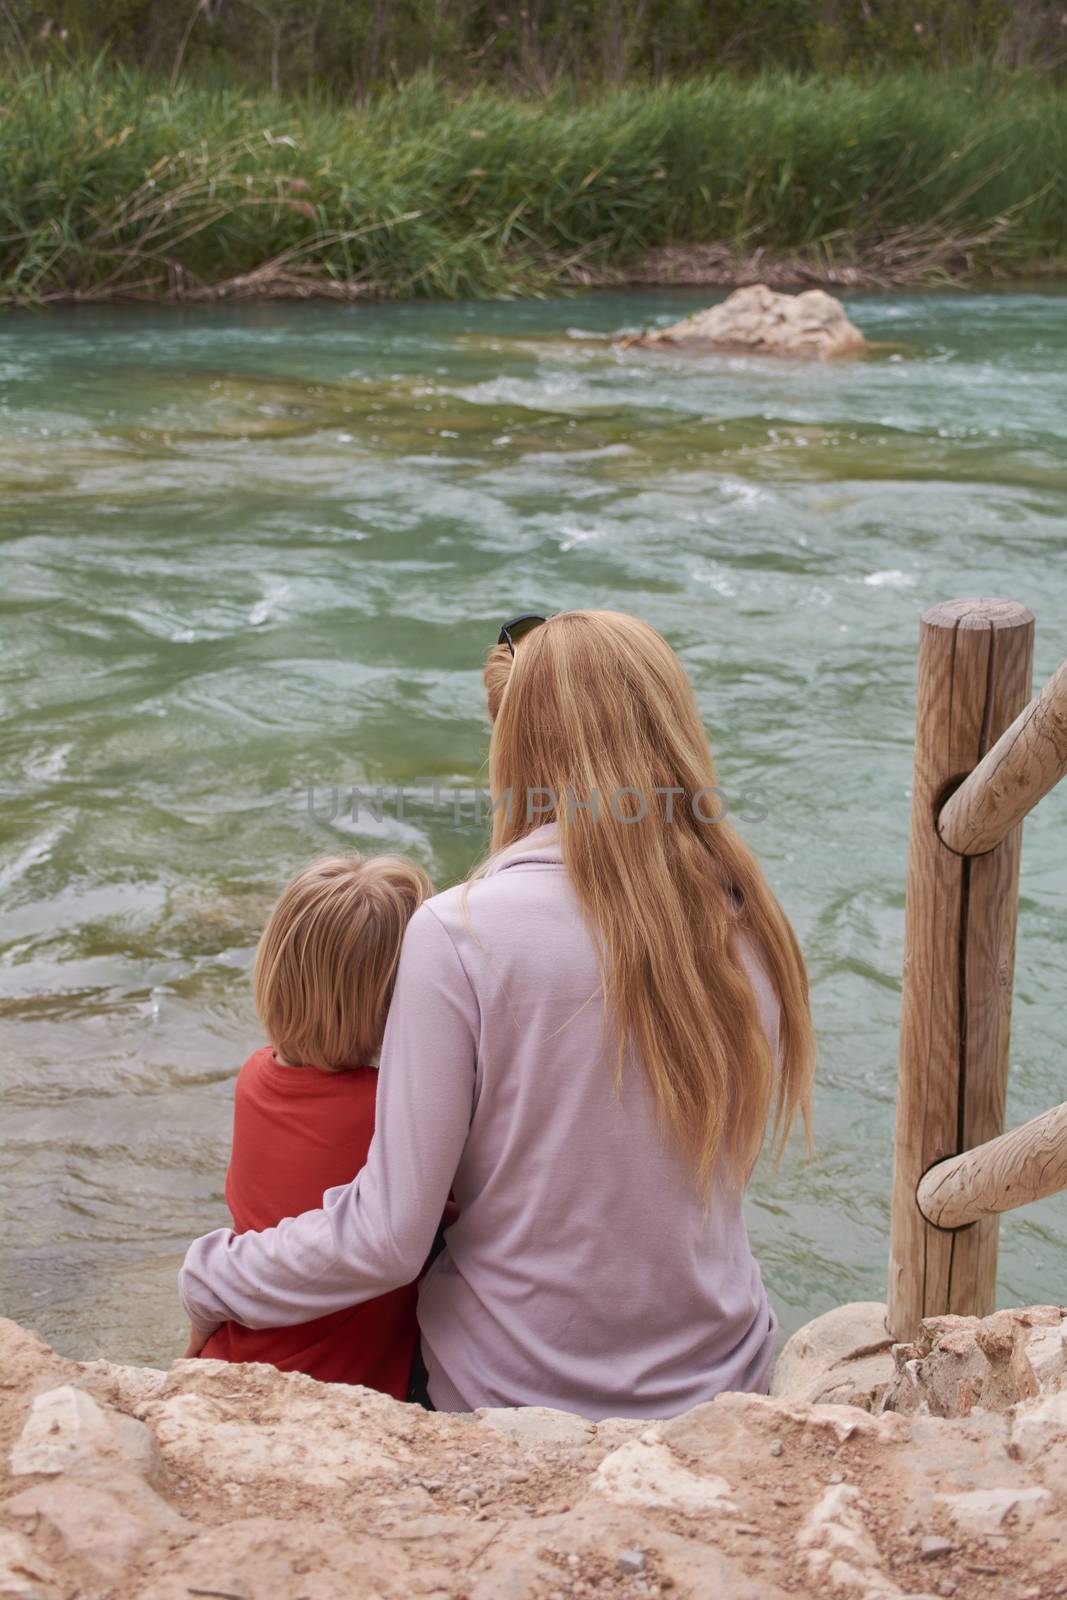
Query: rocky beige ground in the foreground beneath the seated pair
[(943, 1474)]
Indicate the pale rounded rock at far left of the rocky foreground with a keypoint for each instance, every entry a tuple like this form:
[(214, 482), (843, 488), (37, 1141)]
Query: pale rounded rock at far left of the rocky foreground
[(68, 1433)]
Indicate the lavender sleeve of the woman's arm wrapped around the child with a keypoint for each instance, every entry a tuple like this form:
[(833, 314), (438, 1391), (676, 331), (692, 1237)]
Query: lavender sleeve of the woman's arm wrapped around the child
[(374, 1234)]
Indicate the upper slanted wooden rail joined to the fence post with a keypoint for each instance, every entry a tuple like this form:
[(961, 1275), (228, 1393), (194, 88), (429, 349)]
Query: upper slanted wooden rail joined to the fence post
[(1025, 764)]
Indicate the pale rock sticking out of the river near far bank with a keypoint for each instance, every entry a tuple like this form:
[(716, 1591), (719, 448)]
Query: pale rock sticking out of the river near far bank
[(762, 322)]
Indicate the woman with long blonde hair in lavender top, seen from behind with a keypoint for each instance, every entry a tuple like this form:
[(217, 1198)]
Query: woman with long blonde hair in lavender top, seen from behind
[(586, 1044)]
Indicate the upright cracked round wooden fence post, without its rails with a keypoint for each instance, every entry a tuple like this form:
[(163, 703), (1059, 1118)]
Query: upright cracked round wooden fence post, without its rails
[(975, 671)]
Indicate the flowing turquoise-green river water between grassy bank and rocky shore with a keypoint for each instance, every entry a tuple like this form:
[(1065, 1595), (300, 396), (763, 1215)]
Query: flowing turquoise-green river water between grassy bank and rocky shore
[(254, 556)]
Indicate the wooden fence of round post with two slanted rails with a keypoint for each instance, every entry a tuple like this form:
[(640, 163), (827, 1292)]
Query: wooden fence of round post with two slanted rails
[(985, 756)]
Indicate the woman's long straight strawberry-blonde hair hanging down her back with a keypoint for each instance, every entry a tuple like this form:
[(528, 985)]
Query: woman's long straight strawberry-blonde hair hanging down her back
[(594, 705)]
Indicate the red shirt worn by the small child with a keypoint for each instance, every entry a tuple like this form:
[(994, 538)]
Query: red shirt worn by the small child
[(298, 1132)]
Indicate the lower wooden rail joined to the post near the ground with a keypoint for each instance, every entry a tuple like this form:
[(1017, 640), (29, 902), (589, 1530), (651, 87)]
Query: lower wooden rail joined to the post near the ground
[(1028, 1164)]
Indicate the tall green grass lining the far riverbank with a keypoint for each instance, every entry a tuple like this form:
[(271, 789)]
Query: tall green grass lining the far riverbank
[(118, 188)]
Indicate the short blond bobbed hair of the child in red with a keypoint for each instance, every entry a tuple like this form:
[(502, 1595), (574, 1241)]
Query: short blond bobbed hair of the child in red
[(329, 956)]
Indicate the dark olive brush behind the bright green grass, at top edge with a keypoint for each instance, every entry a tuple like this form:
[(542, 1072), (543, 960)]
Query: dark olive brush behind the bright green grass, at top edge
[(353, 50)]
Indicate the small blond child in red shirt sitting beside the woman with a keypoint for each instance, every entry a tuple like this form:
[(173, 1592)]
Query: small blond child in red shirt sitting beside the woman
[(305, 1105)]
